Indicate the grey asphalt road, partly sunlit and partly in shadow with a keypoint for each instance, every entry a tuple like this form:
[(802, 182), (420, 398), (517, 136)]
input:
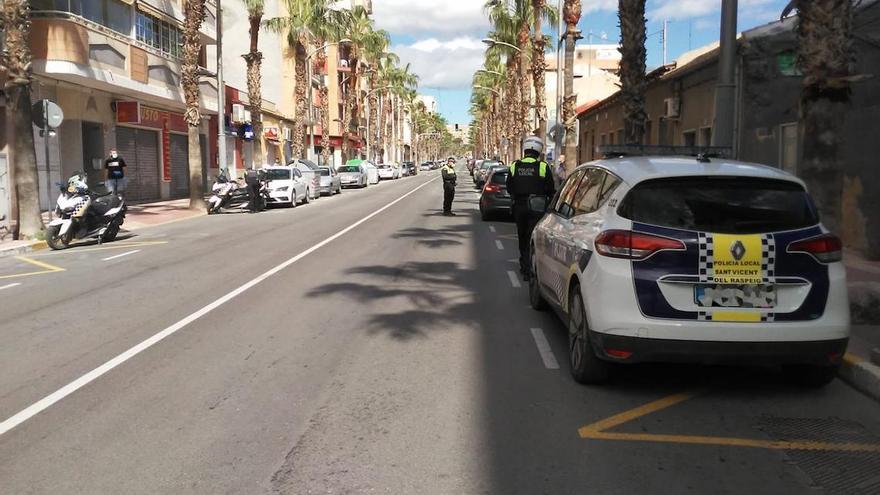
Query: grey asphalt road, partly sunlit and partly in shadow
[(323, 350)]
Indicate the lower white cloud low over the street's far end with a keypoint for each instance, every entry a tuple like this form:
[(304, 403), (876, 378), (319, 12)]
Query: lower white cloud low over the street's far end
[(443, 64)]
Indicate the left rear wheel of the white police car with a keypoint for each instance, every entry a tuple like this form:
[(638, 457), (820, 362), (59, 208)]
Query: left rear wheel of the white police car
[(585, 366)]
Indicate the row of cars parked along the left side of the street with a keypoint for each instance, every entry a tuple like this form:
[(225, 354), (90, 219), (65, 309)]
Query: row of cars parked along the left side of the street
[(302, 181)]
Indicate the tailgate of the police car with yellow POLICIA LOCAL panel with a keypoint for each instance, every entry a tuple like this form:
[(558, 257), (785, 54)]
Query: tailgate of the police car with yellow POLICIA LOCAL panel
[(742, 260)]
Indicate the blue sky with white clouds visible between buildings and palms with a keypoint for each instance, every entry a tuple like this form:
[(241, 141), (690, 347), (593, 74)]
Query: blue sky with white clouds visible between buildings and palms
[(441, 38)]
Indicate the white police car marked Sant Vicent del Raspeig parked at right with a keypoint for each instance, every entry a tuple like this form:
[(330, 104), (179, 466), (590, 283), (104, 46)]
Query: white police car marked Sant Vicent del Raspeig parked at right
[(691, 259)]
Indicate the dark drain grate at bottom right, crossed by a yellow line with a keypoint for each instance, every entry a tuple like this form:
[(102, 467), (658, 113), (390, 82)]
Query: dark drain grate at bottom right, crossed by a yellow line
[(837, 472)]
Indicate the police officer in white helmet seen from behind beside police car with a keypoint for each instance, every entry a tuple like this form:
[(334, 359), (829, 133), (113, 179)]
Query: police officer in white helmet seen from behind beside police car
[(529, 177)]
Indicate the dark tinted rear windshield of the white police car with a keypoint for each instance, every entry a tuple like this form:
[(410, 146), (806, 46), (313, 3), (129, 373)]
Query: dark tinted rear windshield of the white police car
[(729, 205)]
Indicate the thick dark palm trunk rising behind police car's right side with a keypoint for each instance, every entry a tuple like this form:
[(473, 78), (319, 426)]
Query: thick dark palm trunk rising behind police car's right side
[(826, 59)]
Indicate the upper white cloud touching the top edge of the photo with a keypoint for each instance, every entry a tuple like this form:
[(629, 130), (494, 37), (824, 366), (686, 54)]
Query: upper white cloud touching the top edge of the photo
[(426, 17)]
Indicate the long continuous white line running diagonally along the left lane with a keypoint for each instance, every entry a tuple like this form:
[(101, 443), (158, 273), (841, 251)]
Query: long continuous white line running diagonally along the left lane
[(47, 401)]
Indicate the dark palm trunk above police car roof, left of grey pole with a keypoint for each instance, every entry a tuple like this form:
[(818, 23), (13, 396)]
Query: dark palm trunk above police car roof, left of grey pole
[(631, 14)]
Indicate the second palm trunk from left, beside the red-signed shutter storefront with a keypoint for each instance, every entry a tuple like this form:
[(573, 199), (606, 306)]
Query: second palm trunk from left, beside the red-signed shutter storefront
[(194, 15)]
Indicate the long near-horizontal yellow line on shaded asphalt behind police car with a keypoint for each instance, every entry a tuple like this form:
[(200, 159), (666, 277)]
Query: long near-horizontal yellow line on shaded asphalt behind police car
[(729, 442)]
